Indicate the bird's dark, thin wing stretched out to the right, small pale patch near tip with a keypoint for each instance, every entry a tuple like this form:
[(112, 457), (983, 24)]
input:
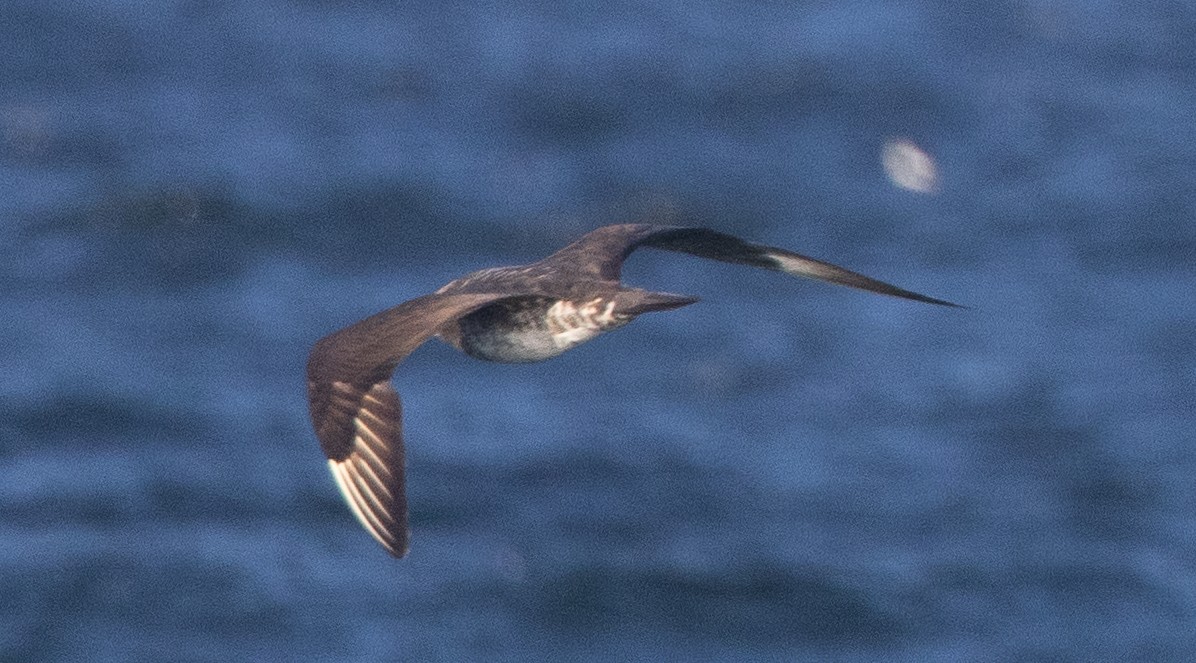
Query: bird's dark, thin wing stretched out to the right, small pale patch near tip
[(601, 256)]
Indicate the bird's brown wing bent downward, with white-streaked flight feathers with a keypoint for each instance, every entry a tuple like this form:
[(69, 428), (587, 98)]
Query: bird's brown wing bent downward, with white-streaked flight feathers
[(357, 413)]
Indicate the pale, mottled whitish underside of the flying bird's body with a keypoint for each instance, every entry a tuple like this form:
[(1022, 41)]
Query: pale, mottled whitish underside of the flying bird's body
[(534, 330)]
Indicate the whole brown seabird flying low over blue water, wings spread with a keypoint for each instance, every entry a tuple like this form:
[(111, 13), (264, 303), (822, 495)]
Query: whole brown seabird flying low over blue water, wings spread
[(507, 314)]
